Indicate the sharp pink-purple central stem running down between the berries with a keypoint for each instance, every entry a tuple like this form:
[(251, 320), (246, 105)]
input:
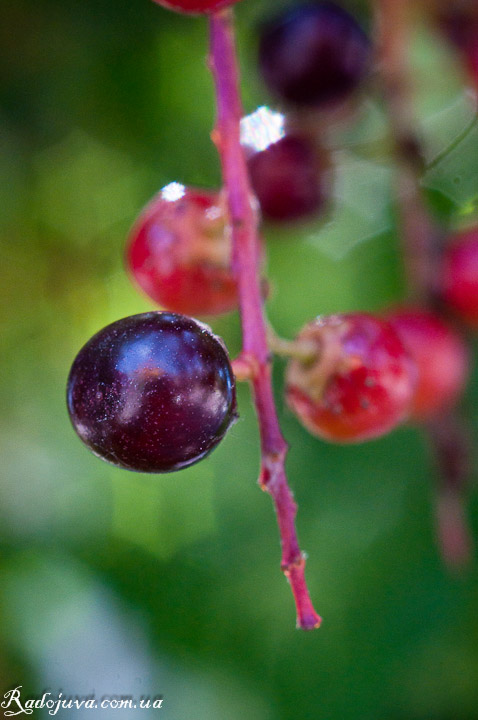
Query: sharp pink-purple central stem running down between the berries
[(244, 223)]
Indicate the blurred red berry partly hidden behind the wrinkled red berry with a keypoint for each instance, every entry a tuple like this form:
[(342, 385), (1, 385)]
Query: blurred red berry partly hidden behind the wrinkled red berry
[(441, 358)]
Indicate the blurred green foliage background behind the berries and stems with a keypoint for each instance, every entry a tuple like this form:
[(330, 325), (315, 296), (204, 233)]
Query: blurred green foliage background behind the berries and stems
[(115, 583)]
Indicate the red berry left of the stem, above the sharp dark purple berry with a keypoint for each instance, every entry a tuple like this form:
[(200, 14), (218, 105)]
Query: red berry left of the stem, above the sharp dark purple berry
[(179, 253)]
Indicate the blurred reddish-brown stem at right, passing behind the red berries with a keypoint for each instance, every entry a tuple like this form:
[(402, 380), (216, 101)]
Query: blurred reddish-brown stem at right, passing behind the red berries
[(422, 248)]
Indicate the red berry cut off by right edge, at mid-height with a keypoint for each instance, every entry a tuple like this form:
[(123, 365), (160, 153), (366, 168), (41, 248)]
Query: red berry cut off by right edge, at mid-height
[(459, 280)]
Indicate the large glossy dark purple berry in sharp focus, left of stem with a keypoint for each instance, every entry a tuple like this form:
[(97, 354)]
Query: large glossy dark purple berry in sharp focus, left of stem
[(152, 393)]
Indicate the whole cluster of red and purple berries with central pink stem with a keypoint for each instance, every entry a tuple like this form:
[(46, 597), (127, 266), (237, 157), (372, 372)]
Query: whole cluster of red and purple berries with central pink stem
[(156, 392)]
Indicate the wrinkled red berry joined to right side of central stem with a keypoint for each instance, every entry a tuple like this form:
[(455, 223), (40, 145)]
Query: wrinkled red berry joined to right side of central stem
[(361, 384)]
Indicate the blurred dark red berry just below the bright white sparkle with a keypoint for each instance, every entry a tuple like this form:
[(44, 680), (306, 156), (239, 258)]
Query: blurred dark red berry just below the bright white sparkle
[(289, 179)]
